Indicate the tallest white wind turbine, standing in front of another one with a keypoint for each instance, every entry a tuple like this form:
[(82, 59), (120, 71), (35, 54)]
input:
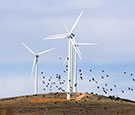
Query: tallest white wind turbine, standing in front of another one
[(70, 36)]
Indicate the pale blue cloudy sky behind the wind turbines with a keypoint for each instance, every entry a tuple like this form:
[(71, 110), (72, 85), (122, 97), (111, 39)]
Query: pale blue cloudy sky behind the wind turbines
[(110, 23)]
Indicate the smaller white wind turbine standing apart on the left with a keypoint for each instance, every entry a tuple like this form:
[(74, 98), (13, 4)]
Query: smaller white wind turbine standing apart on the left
[(35, 64)]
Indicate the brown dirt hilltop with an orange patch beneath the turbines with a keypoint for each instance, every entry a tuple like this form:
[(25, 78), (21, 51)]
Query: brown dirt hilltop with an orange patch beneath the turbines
[(56, 104)]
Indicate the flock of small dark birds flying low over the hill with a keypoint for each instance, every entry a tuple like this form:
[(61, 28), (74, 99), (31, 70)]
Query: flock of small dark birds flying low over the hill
[(102, 84)]
